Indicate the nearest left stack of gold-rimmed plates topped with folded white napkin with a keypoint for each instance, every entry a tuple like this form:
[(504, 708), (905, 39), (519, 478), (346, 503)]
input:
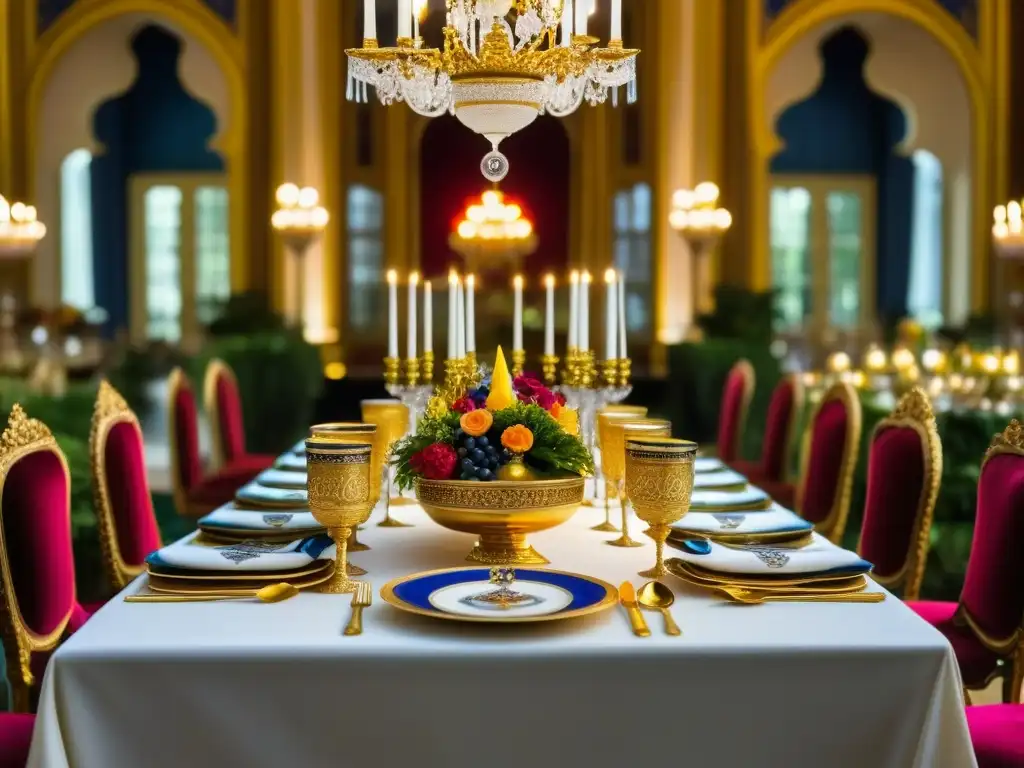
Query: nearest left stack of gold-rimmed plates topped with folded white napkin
[(197, 566)]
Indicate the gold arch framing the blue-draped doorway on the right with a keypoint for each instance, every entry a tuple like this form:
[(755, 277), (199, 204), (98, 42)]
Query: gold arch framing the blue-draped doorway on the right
[(799, 19)]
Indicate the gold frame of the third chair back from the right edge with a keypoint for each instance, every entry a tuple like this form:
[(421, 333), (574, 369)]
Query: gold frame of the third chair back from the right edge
[(834, 526)]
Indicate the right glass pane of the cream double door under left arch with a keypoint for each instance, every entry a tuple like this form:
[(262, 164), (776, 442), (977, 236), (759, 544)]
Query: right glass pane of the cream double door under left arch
[(214, 261)]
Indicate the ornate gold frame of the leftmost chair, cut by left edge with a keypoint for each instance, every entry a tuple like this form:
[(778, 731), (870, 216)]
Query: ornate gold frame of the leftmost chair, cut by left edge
[(23, 438)]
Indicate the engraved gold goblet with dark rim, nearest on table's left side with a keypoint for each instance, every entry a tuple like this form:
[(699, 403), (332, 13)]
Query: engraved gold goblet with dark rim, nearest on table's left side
[(338, 478)]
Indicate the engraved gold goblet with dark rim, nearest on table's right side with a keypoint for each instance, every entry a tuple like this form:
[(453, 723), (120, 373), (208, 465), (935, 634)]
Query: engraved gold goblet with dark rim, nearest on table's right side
[(660, 483)]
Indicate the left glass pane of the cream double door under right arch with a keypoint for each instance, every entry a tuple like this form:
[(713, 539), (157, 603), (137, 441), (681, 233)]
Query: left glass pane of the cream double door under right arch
[(791, 216)]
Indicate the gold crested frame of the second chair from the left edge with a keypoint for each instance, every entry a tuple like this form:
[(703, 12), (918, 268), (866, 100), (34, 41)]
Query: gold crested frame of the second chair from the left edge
[(111, 410)]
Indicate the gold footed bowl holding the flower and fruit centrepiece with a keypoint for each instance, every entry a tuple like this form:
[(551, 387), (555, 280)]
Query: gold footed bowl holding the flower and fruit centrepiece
[(501, 514)]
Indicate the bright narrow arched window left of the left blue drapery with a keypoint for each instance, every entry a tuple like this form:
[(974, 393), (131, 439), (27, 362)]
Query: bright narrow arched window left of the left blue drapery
[(76, 231)]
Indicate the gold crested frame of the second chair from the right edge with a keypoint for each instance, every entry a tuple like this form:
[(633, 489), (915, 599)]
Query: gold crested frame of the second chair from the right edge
[(915, 412)]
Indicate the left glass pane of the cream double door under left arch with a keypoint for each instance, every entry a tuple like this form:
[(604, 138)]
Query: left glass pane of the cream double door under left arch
[(163, 264)]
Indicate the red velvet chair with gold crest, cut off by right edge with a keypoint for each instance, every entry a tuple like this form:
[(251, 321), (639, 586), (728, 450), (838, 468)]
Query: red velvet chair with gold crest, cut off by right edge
[(986, 628)]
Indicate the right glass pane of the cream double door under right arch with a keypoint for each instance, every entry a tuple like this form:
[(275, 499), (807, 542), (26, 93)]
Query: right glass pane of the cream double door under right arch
[(845, 226)]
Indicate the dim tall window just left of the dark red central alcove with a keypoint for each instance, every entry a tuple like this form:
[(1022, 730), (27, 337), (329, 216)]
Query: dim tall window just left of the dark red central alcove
[(366, 257)]
